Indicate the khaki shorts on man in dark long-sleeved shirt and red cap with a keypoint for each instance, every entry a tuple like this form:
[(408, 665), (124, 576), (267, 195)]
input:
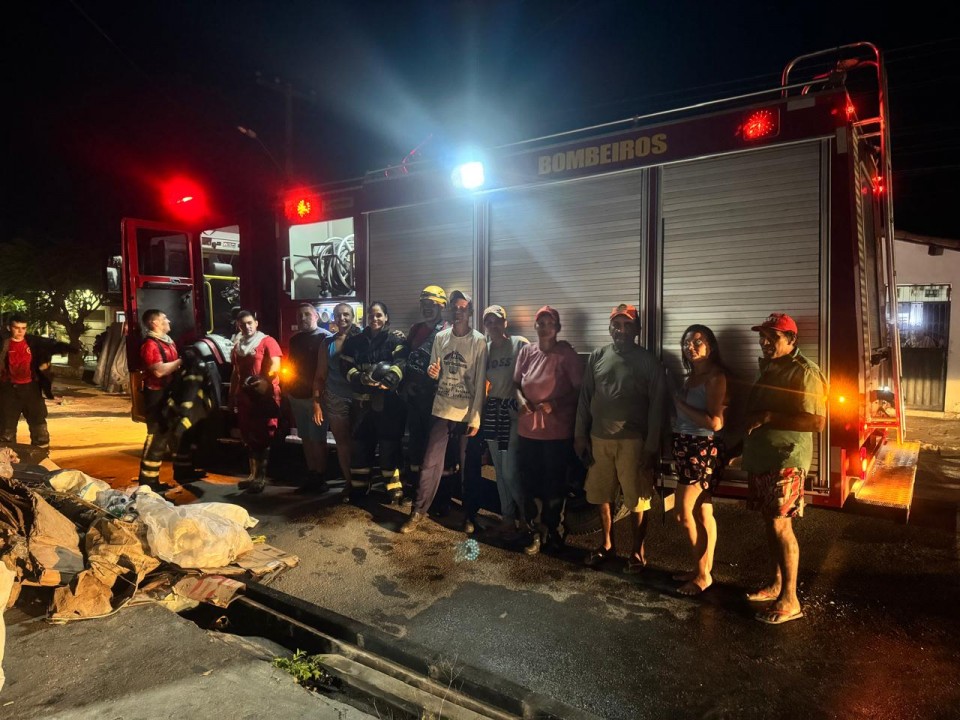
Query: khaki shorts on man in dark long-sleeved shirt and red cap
[(617, 464)]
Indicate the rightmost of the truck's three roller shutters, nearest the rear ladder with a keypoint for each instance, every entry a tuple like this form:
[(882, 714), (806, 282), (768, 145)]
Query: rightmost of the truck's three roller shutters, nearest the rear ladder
[(742, 239)]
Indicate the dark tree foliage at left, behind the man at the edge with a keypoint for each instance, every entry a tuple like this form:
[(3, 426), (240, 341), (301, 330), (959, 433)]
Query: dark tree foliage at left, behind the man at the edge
[(59, 282)]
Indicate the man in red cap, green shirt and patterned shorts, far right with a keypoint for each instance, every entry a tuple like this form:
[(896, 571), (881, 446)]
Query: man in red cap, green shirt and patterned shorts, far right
[(785, 407)]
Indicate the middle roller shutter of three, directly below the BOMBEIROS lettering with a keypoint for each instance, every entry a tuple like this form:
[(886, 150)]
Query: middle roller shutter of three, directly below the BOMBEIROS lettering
[(574, 246)]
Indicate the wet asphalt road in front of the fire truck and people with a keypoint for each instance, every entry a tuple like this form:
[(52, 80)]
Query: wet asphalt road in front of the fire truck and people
[(879, 638)]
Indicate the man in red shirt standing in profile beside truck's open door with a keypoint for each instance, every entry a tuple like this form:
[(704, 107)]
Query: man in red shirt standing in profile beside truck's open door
[(158, 360)]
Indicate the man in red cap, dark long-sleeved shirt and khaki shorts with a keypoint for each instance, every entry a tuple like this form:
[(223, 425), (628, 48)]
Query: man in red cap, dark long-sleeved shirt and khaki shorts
[(618, 431)]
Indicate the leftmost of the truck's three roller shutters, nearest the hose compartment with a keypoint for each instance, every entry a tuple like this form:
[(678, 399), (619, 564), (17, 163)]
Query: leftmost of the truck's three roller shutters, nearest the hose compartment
[(412, 247)]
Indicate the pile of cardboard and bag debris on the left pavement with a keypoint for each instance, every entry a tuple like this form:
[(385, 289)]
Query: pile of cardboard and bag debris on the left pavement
[(101, 549)]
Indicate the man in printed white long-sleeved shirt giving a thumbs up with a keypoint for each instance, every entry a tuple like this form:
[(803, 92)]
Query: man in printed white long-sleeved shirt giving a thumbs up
[(458, 361)]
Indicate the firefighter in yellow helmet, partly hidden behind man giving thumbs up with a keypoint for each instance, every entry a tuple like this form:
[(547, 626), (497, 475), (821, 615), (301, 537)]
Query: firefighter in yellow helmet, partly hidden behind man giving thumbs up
[(418, 389)]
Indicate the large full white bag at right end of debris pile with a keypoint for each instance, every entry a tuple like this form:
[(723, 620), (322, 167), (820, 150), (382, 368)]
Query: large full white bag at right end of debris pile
[(194, 536)]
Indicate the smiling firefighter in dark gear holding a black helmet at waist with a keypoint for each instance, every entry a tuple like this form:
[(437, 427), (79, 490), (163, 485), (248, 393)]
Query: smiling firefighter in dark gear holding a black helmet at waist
[(373, 363)]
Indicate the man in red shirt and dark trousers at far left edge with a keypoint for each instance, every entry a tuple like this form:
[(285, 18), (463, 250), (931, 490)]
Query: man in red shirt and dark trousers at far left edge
[(22, 358)]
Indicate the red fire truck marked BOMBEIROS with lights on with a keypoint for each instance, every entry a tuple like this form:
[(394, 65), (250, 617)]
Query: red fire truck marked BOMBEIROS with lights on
[(718, 213)]
